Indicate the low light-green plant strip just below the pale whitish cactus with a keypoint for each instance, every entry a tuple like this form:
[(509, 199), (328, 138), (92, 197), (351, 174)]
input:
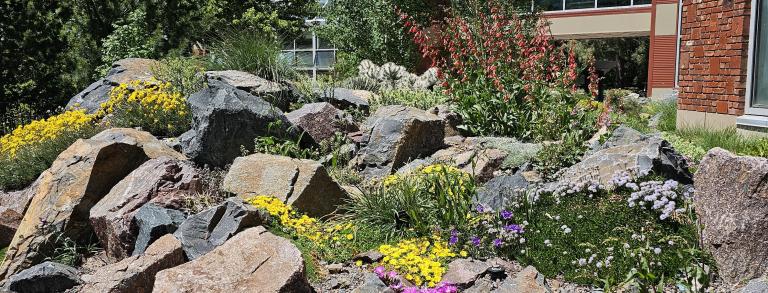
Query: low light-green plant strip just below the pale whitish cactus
[(413, 98)]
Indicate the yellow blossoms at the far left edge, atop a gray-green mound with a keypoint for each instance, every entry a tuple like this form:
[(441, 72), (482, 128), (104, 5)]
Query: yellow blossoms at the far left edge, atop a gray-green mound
[(43, 130)]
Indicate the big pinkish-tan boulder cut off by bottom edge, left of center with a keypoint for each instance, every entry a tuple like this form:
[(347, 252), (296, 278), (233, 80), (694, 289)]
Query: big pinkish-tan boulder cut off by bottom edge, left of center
[(252, 261)]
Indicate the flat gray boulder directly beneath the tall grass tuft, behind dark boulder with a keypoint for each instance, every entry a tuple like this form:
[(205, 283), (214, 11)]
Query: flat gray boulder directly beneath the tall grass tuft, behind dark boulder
[(277, 94)]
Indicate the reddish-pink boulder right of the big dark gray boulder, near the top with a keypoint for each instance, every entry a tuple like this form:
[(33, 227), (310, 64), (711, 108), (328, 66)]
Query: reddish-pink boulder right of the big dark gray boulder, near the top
[(322, 121)]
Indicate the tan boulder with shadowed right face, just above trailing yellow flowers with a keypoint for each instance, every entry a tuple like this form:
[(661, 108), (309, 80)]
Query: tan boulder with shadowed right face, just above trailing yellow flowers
[(304, 184)]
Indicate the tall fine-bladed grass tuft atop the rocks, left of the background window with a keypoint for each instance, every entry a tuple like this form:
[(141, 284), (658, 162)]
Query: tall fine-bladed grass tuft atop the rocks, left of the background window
[(250, 51)]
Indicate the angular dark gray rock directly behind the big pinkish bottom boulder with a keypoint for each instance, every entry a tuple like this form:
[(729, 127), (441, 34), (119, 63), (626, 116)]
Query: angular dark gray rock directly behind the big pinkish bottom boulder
[(203, 232)]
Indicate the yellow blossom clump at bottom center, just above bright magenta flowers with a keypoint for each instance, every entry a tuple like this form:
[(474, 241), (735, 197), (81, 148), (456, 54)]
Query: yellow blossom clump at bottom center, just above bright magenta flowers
[(419, 260)]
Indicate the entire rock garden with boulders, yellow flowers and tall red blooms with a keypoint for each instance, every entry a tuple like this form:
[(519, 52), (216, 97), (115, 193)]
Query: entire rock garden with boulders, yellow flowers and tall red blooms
[(492, 171)]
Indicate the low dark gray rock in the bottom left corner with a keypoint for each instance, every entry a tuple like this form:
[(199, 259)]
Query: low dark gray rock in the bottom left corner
[(44, 278)]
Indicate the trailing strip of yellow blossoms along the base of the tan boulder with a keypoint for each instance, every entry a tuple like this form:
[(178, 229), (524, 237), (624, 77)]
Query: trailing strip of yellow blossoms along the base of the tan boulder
[(303, 225)]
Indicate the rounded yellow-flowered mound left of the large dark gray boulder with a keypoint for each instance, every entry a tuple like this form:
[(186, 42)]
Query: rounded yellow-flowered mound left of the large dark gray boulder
[(152, 105)]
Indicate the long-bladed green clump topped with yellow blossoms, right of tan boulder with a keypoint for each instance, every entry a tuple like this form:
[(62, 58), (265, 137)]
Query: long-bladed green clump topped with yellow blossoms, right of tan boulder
[(435, 196)]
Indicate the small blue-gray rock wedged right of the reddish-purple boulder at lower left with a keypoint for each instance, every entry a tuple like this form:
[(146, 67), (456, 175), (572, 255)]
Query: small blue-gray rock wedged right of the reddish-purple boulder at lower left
[(153, 222)]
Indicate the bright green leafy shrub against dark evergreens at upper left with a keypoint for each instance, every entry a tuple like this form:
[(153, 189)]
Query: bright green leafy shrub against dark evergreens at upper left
[(129, 39)]
